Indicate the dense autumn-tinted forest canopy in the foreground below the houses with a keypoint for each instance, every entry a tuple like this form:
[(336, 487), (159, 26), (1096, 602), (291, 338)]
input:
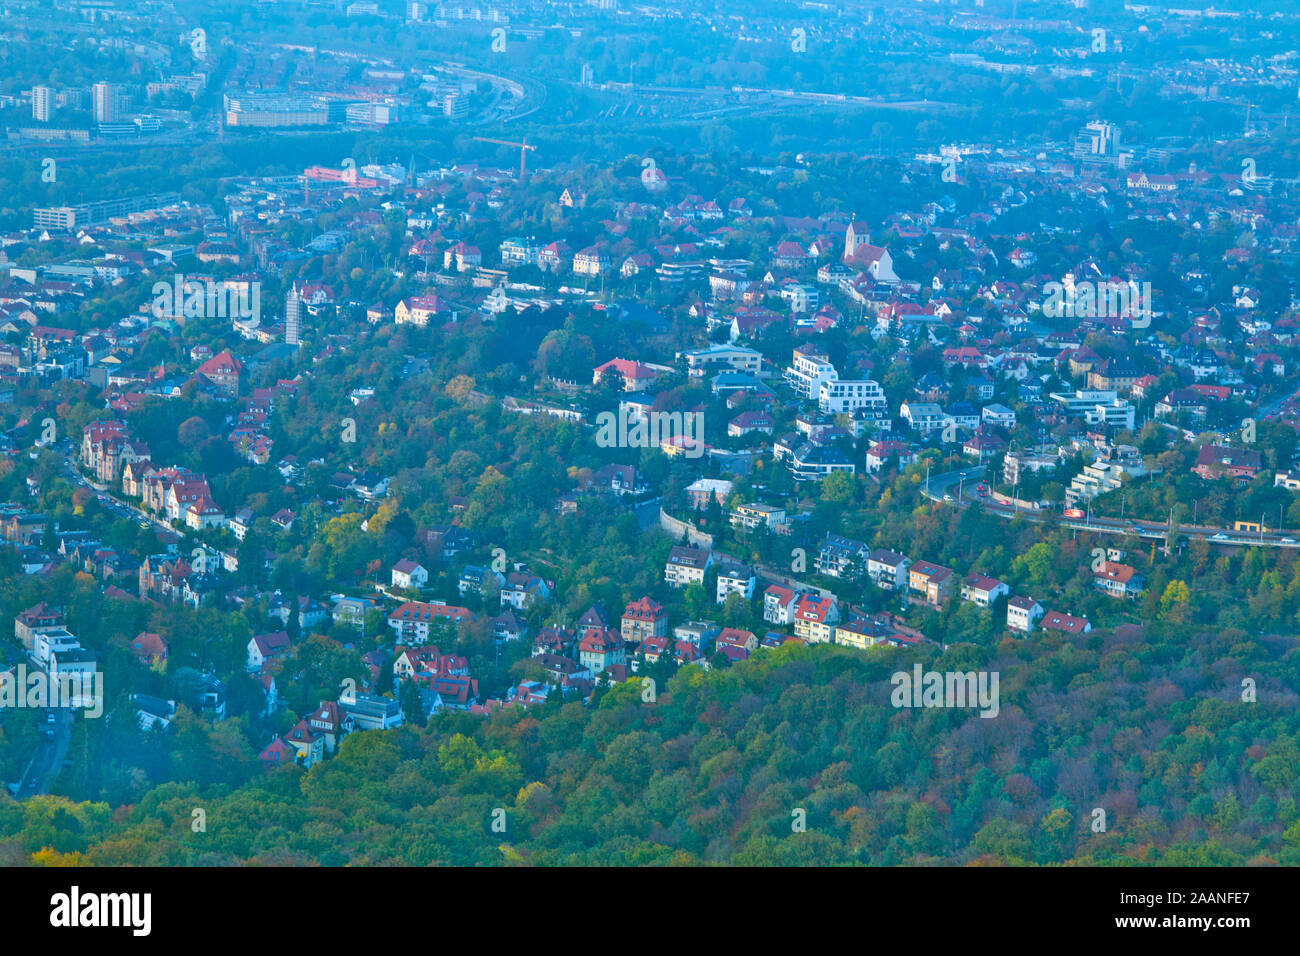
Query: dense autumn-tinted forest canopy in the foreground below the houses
[(1149, 728)]
